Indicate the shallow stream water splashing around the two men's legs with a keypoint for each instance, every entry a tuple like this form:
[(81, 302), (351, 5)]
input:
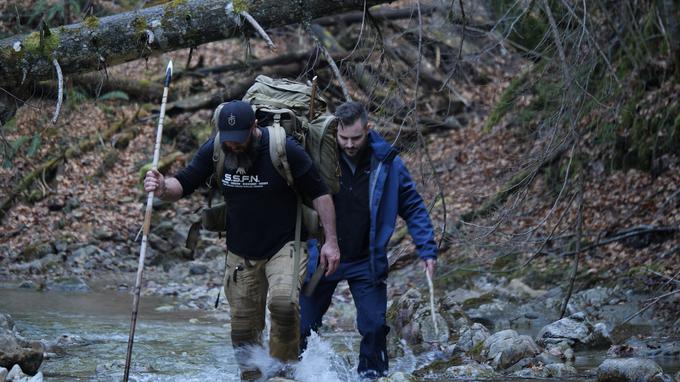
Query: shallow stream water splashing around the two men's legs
[(176, 345)]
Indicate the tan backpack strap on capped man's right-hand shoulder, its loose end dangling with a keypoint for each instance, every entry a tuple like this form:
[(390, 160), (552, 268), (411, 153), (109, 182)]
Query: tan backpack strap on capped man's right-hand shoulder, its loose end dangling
[(277, 151)]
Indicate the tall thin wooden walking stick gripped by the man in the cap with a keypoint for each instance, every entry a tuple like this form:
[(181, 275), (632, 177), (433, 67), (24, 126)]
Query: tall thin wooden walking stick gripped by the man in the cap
[(147, 223)]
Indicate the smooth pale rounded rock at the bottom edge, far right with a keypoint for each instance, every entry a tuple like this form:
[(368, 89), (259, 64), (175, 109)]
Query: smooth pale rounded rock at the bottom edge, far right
[(628, 370)]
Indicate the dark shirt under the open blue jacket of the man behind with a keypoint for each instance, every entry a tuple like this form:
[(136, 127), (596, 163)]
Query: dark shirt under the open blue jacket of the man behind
[(352, 208)]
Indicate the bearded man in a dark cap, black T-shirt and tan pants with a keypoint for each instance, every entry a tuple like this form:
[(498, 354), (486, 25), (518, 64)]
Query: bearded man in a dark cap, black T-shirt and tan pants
[(261, 222)]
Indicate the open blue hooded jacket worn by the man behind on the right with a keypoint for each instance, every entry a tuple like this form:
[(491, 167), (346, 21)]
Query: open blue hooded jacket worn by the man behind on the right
[(392, 192)]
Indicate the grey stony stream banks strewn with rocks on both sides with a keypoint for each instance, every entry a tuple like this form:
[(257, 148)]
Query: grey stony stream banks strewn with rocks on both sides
[(487, 326)]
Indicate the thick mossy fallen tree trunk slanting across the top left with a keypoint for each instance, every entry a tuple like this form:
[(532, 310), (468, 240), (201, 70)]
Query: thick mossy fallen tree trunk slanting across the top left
[(97, 43)]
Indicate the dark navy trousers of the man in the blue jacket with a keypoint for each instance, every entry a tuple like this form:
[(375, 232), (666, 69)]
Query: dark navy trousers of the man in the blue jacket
[(370, 299)]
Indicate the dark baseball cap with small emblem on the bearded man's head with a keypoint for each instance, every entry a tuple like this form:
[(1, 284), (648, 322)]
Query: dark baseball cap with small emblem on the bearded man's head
[(234, 121)]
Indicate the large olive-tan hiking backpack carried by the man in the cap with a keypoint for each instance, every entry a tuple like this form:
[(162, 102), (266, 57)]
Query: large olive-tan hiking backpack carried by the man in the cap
[(283, 107)]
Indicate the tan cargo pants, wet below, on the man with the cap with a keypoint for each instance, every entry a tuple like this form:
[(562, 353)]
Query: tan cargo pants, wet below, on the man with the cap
[(249, 285)]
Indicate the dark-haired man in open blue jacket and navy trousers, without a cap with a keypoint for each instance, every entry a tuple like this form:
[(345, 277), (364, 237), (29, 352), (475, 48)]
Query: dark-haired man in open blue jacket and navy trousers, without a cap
[(375, 187)]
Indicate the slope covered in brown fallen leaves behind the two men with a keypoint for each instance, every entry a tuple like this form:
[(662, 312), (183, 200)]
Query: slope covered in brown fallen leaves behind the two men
[(96, 197)]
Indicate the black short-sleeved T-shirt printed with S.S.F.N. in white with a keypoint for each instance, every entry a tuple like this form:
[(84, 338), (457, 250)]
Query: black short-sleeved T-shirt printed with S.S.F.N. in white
[(261, 207)]
